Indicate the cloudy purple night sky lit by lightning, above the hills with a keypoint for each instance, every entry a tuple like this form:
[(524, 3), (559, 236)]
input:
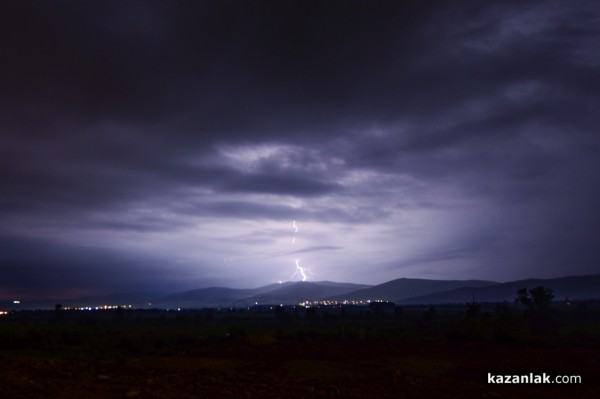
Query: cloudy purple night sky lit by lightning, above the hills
[(171, 145)]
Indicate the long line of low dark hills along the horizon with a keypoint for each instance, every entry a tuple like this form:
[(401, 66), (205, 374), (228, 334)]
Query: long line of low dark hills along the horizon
[(401, 291)]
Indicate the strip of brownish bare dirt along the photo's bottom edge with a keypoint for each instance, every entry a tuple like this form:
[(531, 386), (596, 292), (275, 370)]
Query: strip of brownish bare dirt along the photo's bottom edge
[(358, 369)]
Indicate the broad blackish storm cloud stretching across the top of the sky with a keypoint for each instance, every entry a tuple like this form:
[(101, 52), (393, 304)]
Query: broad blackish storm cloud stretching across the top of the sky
[(216, 68)]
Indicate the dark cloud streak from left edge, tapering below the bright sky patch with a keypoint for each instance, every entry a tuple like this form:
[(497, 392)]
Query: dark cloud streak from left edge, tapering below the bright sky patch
[(72, 181)]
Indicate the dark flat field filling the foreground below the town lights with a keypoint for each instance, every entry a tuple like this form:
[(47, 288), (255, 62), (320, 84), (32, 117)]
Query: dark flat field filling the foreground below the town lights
[(412, 352)]
